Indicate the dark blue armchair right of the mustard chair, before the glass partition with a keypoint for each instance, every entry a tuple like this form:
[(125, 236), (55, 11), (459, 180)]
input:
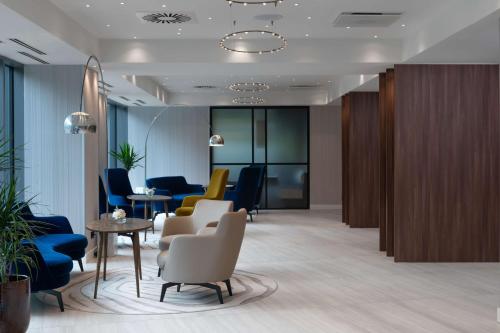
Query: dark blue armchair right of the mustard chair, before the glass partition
[(245, 193)]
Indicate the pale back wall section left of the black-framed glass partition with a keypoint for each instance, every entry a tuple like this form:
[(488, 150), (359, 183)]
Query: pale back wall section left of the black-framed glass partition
[(177, 146)]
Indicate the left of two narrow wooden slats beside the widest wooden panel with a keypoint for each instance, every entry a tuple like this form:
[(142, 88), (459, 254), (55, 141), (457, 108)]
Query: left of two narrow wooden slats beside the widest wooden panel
[(383, 157)]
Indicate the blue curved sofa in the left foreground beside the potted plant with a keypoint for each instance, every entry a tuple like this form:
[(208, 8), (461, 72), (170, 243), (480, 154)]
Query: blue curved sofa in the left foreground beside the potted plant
[(54, 248)]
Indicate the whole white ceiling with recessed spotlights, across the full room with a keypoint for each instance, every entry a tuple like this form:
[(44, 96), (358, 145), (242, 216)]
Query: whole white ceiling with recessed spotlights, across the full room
[(335, 60)]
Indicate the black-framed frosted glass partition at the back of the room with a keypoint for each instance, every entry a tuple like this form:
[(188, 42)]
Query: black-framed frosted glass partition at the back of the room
[(277, 137)]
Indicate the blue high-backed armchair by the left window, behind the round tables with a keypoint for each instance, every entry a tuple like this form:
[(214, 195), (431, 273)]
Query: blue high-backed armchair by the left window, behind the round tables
[(118, 189)]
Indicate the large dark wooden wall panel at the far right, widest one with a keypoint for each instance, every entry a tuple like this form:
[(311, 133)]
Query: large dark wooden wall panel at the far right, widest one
[(447, 163)]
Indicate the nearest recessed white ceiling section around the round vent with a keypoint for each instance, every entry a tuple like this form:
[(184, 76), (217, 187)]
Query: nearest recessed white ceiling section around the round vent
[(124, 24)]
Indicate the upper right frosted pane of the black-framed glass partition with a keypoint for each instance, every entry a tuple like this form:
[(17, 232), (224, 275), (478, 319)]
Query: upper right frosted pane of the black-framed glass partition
[(287, 135)]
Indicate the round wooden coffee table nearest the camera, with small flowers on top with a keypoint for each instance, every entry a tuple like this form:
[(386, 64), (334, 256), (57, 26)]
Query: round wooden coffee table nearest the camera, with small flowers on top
[(107, 226)]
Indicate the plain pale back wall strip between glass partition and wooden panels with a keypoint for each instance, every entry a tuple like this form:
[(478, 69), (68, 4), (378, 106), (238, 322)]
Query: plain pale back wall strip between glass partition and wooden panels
[(326, 156)]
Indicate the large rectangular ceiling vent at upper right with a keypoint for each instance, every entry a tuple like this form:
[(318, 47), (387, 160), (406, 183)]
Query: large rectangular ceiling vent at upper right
[(366, 19)]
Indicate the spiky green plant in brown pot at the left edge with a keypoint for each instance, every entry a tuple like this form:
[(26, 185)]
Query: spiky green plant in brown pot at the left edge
[(15, 234)]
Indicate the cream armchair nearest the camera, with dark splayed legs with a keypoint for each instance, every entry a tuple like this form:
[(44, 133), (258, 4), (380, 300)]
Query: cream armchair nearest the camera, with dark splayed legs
[(204, 258)]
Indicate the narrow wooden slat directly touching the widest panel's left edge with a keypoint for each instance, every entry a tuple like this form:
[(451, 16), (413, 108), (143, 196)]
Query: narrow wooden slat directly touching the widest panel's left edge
[(389, 178)]
